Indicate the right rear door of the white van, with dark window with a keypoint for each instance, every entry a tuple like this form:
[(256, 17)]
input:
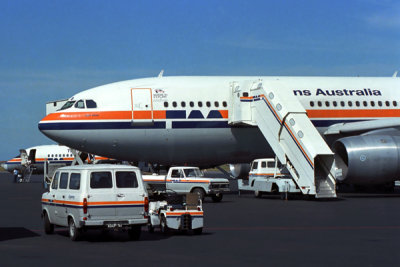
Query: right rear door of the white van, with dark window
[(130, 195)]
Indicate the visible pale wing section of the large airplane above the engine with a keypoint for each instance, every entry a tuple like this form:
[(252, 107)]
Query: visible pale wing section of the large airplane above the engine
[(362, 126)]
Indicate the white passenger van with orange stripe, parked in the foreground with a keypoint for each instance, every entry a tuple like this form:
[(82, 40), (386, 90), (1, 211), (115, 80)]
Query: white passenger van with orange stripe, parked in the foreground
[(96, 196)]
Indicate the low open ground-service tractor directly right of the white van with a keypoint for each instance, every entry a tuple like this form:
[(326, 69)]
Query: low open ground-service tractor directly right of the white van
[(178, 212)]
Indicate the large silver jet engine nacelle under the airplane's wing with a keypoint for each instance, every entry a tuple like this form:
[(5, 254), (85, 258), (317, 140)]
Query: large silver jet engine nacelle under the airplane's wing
[(368, 160)]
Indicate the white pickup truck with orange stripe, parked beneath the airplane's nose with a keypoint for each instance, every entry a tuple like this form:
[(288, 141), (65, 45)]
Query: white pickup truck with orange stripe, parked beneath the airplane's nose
[(183, 180)]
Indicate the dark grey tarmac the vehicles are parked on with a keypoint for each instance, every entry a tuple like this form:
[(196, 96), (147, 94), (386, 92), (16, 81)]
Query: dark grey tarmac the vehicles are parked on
[(353, 230)]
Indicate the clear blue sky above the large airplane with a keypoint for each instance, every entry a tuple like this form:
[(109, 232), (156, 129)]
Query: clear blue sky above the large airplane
[(51, 50)]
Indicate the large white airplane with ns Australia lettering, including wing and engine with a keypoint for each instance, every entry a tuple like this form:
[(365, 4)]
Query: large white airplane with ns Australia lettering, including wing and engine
[(186, 120)]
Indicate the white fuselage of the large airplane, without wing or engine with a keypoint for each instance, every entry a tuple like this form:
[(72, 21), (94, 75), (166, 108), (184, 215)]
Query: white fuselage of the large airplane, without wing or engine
[(184, 120)]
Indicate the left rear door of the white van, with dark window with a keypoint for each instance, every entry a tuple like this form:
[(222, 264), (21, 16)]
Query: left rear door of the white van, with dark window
[(101, 197)]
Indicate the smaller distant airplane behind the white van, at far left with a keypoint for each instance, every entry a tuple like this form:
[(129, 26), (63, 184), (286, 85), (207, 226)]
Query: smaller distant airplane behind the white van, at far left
[(37, 155)]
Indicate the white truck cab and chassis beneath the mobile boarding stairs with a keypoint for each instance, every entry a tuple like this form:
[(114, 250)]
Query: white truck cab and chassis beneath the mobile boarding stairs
[(267, 176)]
